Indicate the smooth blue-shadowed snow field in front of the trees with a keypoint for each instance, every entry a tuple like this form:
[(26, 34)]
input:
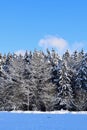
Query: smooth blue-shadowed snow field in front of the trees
[(43, 121)]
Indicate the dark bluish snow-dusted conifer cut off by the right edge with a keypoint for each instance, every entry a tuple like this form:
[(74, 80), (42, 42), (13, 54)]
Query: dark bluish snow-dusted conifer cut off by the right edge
[(80, 88)]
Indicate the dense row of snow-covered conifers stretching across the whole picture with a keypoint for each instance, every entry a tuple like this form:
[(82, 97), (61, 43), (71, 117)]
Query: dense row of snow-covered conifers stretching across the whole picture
[(41, 81)]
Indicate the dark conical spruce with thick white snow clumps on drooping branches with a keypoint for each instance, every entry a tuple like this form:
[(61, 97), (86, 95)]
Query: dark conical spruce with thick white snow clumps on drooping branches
[(65, 93)]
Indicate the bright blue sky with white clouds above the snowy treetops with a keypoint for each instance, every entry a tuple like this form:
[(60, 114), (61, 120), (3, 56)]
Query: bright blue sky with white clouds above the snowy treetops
[(29, 24)]
